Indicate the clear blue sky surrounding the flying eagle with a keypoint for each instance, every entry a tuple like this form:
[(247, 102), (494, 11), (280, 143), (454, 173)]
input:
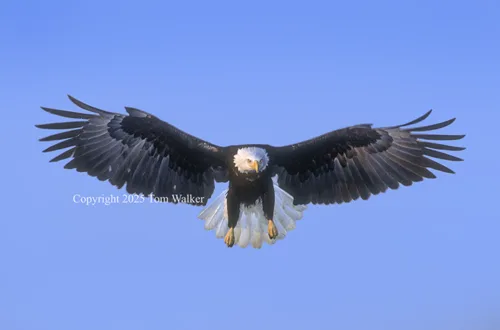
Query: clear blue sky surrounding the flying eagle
[(425, 257)]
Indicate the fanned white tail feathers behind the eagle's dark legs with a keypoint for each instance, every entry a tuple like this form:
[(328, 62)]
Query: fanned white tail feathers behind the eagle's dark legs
[(252, 224)]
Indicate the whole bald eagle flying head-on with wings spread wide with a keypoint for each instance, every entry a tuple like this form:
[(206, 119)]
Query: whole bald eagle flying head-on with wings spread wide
[(269, 187)]
